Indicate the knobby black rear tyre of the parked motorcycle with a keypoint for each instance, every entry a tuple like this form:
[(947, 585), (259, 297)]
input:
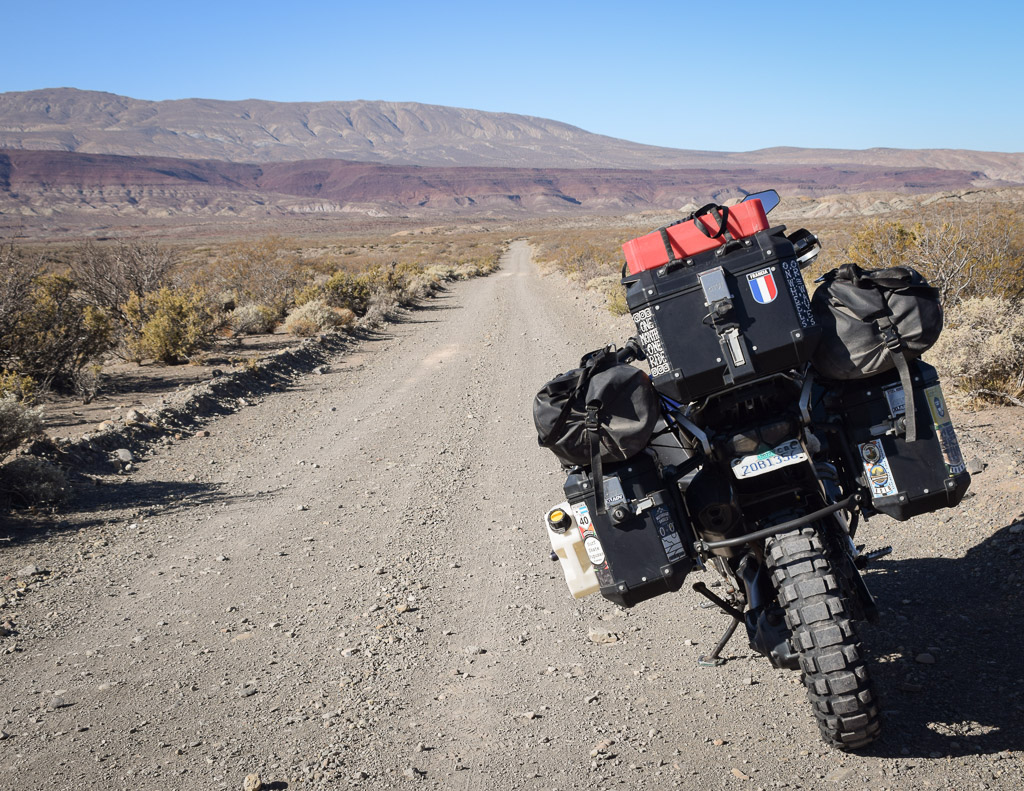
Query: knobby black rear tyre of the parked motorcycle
[(824, 636)]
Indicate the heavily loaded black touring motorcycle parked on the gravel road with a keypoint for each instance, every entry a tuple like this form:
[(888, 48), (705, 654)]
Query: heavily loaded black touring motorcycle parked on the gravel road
[(753, 466)]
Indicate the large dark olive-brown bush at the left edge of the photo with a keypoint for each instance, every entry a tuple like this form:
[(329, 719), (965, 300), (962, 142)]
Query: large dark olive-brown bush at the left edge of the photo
[(56, 335)]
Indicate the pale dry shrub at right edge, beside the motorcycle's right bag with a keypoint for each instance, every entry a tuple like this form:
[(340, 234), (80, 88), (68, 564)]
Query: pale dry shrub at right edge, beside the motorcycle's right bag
[(983, 347)]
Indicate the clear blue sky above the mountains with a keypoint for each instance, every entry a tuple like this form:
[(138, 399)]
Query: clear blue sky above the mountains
[(729, 75)]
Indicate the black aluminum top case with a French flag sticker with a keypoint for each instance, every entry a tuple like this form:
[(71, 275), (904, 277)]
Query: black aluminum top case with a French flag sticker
[(724, 317)]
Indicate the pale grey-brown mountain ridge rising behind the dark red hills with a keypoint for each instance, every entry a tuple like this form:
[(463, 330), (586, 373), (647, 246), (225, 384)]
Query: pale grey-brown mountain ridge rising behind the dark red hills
[(395, 133)]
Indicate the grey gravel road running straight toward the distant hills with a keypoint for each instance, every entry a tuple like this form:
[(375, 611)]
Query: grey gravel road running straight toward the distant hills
[(349, 585)]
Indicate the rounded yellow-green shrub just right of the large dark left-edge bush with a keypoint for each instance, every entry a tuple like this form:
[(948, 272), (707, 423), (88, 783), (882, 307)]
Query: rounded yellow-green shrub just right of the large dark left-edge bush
[(180, 324)]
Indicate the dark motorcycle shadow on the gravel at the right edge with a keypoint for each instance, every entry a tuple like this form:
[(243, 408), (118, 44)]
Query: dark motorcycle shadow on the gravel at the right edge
[(968, 614)]
